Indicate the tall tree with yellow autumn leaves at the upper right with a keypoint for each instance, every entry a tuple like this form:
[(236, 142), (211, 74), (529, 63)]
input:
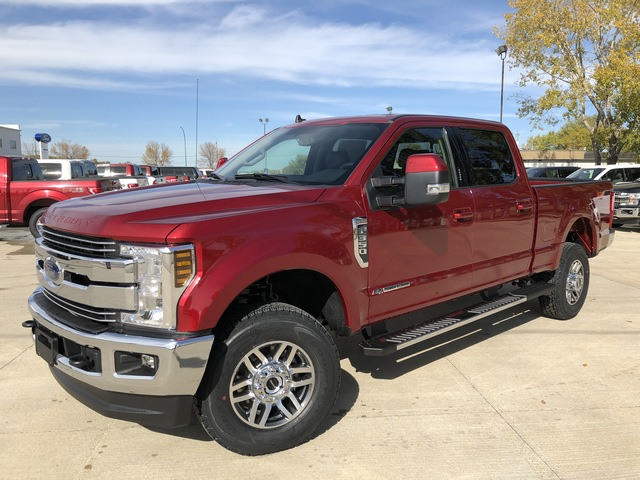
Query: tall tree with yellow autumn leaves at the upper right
[(585, 54)]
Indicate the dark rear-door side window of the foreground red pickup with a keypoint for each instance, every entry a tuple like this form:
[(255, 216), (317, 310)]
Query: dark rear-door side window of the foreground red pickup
[(489, 157)]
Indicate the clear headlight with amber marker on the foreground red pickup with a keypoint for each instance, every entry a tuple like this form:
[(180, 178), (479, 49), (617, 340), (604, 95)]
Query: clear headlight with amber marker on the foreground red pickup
[(163, 273)]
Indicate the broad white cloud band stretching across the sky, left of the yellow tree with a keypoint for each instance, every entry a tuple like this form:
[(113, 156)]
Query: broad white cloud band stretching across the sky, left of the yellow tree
[(248, 42)]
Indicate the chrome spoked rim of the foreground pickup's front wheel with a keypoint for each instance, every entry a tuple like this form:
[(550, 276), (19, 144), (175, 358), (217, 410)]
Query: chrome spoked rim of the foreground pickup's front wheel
[(272, 385)]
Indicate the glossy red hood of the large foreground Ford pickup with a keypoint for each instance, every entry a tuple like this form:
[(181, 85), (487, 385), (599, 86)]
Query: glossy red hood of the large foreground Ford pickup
[(149, 214)]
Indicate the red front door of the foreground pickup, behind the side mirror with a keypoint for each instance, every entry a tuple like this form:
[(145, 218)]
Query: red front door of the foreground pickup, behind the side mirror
[(421, 255)]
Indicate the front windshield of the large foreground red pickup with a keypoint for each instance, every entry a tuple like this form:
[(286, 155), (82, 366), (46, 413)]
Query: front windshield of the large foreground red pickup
[(309, 155)]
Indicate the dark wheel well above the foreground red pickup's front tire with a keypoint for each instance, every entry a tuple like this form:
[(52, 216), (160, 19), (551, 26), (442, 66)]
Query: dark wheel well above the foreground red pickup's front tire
[(306, 289)]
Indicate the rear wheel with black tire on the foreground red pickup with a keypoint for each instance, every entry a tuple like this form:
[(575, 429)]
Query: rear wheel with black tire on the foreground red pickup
[(570, 284)]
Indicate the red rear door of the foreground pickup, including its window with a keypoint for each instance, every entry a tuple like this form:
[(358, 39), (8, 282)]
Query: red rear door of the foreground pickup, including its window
[(504, 207)]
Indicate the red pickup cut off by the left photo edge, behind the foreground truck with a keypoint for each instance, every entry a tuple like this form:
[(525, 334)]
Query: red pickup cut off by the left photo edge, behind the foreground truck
[(25, 195)]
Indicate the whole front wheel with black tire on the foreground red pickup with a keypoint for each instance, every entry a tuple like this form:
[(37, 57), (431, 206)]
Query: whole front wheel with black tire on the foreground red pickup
[(271, 383)]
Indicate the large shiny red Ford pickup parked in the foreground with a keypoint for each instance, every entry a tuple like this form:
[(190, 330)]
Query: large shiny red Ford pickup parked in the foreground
[(224, 294)]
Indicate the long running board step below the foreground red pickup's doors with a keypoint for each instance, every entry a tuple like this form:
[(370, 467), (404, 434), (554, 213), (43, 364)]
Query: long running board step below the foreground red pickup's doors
[(392, 342)]
